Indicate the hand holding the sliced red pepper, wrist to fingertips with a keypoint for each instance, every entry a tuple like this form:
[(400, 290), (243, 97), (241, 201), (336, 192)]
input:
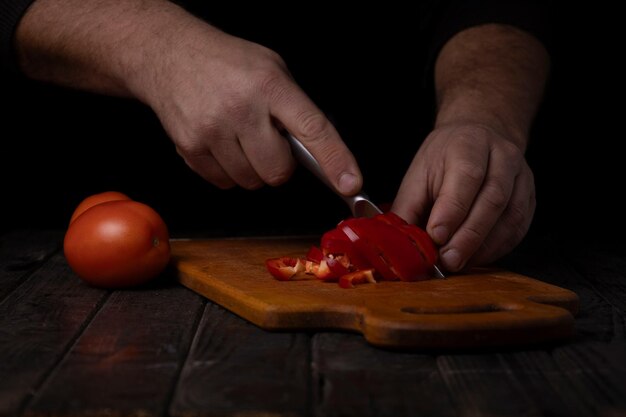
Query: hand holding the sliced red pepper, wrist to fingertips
[(474, 191)]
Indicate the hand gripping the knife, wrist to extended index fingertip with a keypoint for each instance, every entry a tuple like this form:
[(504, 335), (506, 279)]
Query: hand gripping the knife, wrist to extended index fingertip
[(223, 99)]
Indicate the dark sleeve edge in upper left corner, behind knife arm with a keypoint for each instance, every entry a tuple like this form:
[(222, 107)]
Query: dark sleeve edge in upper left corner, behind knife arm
[(11, 11)]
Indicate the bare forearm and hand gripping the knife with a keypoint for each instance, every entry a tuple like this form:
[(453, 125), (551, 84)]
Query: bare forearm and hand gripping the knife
[(221, 99)]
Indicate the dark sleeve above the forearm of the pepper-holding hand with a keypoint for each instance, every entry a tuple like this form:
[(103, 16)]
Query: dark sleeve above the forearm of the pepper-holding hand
[(443, 19)]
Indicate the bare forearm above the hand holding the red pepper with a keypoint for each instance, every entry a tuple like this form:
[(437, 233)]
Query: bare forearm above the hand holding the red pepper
[(491, 75)]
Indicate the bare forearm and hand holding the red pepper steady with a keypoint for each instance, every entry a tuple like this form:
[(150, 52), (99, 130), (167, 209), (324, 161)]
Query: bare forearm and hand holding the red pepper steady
[(469, 183)]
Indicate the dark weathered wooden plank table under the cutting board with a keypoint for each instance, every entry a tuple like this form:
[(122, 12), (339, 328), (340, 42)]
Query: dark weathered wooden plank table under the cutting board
[(69, 349)]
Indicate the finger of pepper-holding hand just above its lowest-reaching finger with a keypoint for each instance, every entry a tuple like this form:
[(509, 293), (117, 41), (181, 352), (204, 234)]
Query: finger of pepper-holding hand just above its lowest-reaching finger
[(465, 169)]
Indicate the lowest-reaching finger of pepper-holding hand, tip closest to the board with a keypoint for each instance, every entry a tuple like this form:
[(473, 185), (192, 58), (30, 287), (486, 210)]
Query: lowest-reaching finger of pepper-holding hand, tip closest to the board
[(488, 206)]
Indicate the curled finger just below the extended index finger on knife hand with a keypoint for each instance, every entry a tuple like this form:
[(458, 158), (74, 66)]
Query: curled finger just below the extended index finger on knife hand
[(268, 152)]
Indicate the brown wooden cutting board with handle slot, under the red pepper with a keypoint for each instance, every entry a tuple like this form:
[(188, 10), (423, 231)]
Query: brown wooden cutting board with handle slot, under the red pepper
[(485, 308)]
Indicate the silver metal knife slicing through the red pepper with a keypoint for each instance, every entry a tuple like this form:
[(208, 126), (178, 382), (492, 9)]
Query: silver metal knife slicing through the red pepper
[(360, 204)]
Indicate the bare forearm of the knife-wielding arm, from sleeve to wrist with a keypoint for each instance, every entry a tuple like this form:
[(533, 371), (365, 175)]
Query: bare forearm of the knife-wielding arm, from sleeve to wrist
[(106, 46)]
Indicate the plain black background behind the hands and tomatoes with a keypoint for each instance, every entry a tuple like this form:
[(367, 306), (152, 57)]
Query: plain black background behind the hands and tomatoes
[(59, 146)]
